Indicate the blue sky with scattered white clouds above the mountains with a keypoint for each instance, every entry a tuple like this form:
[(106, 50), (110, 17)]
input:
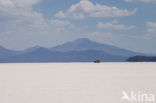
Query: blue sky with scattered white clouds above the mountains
[(129, 24)]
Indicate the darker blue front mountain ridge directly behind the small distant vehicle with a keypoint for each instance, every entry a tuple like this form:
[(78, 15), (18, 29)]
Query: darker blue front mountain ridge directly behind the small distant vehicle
[(45, 55)]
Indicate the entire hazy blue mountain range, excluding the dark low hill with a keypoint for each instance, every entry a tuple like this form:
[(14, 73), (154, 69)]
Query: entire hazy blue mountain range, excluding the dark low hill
[(80, 50)]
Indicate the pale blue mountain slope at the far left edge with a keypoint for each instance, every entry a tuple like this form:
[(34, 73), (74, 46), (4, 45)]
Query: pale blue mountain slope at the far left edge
[(5, 53)]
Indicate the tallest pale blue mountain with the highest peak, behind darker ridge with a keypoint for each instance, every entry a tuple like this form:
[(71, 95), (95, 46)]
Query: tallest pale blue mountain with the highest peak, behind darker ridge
[(86, 44)]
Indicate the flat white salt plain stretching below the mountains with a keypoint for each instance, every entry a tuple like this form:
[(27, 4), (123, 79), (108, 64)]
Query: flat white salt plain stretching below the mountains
[(74, 82)]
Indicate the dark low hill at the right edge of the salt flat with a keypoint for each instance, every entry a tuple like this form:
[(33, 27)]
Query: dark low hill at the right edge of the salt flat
[(141, 59)]
